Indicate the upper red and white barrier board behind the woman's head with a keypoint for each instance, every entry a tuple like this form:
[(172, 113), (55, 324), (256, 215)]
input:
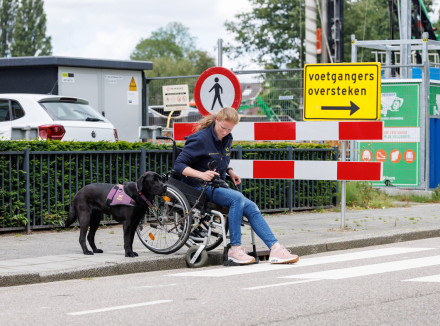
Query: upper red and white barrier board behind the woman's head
[(306, 131)]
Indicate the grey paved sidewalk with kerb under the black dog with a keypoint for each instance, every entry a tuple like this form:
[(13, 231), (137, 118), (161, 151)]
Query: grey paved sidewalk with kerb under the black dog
[(46, 256)]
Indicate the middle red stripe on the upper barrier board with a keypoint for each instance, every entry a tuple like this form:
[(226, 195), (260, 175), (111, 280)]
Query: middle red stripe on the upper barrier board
[(275, 130)]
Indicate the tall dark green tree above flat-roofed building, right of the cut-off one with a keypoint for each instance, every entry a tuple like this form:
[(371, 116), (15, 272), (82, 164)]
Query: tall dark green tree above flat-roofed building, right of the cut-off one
[(29, 37)]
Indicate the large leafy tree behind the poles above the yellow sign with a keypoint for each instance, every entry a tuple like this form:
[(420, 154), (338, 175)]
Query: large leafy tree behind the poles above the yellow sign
[(273, 30)]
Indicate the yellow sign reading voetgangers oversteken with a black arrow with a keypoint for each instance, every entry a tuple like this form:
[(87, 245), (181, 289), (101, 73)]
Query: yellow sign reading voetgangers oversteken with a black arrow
[(341, 91)]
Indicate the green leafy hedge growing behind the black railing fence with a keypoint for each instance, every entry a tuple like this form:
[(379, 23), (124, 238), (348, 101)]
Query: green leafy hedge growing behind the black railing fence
[(54, 180)]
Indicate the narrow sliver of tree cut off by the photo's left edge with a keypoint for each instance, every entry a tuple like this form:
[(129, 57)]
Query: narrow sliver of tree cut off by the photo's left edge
[(7, 21)]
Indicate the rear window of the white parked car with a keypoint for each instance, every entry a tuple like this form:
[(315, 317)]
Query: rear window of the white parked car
[(71, 111)]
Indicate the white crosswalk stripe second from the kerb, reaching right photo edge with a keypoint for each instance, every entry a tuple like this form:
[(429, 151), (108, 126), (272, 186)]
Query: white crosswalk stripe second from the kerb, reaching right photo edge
[(342, 273)]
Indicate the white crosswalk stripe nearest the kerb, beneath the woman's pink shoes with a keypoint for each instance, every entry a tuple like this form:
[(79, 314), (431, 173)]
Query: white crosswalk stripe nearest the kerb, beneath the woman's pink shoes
[(265, 267)]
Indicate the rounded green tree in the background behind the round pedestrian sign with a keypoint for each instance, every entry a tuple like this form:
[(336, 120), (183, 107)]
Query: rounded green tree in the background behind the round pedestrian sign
[(172, 51)]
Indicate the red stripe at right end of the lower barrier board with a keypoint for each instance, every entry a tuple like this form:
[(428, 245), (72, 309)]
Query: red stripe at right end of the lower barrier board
[(363, 171)]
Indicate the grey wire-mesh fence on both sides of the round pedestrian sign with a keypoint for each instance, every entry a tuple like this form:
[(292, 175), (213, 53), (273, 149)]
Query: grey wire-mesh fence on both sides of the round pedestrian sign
[(267, 95)]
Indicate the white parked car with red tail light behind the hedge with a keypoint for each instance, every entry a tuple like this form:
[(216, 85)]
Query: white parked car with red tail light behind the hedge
[(30, 116)]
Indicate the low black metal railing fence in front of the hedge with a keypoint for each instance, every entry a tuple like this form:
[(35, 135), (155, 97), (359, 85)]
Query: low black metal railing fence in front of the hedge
[(36, 188)]
